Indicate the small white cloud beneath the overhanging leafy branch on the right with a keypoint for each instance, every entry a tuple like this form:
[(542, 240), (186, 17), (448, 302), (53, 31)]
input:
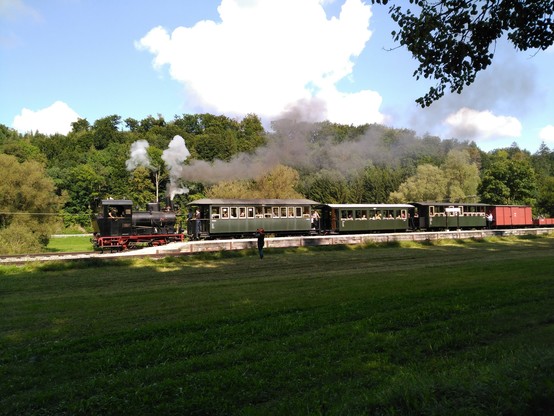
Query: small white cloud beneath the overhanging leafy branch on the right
[(467, 123)]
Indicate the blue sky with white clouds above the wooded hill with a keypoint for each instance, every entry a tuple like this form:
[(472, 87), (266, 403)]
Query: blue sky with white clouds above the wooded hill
[(318, 60)]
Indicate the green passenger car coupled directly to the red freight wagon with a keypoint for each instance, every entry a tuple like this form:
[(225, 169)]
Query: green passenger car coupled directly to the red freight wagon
[(436, 216)]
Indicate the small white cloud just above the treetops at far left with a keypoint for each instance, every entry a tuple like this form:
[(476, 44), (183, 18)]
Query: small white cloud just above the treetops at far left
[(54, 119)]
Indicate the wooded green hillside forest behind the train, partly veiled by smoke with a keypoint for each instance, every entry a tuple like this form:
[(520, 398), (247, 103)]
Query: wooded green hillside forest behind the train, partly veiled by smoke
[(50, 180)]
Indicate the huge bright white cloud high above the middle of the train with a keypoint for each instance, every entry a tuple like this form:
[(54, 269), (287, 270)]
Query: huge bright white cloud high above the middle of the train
[(266, 56)]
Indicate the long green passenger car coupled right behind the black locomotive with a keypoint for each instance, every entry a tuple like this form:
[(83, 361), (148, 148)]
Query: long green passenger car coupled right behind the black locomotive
[(210, 218)]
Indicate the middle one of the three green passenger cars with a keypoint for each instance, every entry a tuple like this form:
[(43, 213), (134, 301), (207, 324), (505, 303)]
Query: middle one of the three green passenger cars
[(365, 218)]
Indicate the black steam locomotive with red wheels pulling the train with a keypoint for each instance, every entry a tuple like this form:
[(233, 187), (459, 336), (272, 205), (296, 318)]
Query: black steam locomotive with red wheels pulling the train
[(118, 227)]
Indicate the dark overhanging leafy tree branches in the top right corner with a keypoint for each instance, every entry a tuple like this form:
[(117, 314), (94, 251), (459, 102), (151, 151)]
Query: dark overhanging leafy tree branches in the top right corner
[(454, 39)]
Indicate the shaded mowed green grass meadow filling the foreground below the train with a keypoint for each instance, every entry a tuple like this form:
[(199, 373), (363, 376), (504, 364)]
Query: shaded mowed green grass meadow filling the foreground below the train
[(449, 328)]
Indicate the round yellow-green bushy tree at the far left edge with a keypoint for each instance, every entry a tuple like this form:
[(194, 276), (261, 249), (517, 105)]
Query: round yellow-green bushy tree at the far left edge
[(28, 206)]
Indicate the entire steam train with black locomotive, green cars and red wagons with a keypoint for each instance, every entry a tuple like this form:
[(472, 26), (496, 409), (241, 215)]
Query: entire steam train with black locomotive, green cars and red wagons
[(118, 227)]
